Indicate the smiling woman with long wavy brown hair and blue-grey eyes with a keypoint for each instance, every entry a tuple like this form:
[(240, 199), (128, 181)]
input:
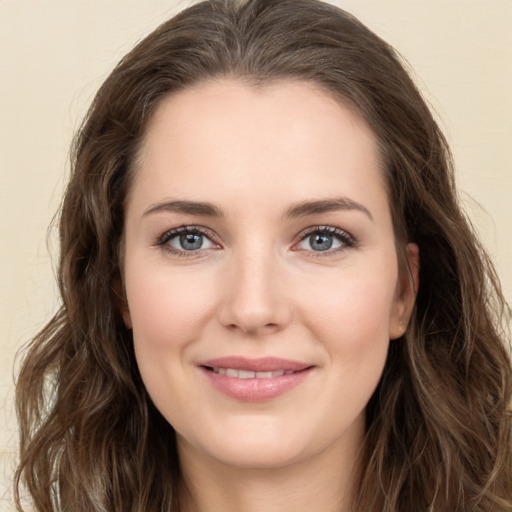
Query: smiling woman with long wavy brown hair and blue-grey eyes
[(271, 299)]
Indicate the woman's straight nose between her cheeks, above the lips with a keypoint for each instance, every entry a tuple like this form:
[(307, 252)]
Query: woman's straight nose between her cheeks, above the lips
[(254, 296)]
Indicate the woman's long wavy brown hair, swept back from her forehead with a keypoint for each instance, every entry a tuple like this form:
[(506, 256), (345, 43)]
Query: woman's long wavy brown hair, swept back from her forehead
[(439, 428)]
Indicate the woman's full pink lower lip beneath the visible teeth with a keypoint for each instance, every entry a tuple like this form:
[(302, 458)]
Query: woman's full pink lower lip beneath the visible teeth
[(255, 390)]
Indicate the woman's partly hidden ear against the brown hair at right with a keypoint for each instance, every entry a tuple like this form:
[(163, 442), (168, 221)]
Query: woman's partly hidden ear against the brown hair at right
[(405, 294)]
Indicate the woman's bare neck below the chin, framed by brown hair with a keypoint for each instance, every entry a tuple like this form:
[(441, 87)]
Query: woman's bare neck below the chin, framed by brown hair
[(325, 483)]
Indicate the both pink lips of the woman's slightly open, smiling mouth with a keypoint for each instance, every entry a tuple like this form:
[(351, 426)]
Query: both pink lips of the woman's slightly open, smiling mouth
[(255, 389)]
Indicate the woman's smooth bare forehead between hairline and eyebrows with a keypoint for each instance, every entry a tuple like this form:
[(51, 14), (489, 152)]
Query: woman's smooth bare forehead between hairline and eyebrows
[(286, 137)]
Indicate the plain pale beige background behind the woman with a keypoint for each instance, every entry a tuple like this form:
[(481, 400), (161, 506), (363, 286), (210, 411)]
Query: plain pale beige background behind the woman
[(55, 53)]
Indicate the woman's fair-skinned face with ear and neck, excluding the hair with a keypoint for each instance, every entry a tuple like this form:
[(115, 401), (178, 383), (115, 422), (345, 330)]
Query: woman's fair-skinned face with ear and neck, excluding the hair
[(292, 258)]
